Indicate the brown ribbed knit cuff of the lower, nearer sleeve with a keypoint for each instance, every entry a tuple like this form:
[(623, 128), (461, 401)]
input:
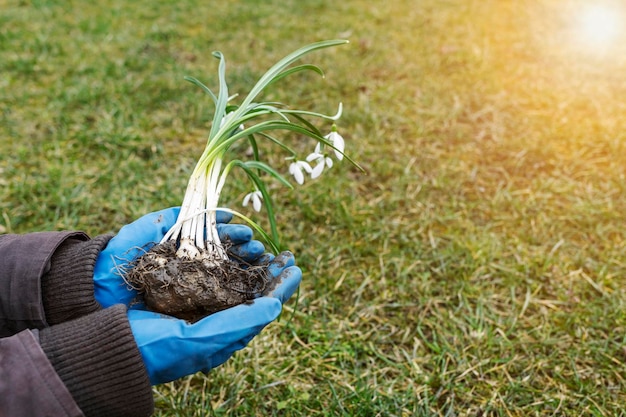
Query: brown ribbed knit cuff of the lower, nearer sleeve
[(98, 360)]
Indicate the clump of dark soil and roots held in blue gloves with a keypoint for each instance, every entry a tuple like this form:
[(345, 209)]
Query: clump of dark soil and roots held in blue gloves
[(192, 289)]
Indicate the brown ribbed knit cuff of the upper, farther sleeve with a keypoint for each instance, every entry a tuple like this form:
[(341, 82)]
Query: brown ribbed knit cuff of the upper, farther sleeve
[(67, 288)]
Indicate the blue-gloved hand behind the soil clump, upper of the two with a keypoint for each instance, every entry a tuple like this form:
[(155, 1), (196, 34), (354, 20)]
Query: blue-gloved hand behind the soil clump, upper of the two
[(133, 239)]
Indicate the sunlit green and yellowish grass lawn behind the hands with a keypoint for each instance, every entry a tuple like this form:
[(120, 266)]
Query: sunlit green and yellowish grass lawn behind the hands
[(477, 269)]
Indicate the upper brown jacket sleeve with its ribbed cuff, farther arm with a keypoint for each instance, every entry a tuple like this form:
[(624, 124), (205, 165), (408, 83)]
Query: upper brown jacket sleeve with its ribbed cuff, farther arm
[(46, 278)]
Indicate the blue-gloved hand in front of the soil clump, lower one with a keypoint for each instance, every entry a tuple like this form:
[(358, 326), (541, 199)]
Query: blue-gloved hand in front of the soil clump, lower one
[(173, 348)]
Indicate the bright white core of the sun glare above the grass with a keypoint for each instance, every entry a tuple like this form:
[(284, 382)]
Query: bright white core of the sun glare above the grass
[(600, 25)]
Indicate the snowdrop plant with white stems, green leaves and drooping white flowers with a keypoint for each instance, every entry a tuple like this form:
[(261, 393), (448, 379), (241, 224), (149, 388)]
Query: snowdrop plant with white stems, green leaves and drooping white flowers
[(251, 121)]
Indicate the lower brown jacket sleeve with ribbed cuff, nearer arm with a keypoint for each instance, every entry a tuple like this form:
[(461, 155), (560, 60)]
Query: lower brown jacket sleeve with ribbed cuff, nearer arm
[(85, 367)]
